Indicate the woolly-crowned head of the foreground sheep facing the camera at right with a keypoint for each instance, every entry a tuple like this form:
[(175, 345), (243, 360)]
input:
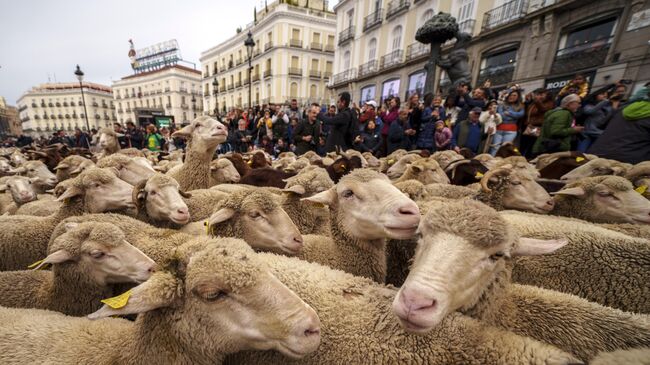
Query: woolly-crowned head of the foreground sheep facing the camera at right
[(456, 262)]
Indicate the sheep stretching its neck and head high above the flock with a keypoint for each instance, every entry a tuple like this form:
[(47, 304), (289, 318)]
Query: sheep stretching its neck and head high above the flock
[(204, 135)]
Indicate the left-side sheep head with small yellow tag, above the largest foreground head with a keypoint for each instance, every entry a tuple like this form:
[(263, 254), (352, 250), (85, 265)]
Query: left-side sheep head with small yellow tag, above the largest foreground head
[(102, 252)]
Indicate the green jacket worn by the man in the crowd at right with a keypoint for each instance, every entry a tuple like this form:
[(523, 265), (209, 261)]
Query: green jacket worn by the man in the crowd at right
[(557, 126)]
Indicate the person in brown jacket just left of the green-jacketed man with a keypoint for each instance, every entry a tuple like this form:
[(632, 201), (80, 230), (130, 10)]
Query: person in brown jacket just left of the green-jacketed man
[(538, 103)]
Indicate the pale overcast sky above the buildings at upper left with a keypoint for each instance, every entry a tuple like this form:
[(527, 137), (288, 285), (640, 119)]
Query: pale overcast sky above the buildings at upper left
[(47, 38)]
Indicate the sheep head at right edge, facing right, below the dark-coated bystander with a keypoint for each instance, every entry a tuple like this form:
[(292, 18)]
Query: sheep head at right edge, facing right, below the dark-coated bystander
[(602, 199)]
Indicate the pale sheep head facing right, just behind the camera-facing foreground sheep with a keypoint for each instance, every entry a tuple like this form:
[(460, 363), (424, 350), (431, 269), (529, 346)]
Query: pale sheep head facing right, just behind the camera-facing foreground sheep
[(369, 207)]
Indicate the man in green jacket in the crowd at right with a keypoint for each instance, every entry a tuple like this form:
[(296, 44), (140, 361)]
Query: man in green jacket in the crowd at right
[(558, 127)]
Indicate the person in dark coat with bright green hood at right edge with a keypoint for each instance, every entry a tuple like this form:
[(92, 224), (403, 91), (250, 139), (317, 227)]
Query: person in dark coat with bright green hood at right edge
[(627, 135)]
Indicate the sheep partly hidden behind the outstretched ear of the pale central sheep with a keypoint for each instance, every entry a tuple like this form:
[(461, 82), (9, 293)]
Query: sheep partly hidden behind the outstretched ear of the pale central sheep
[(309, 218)]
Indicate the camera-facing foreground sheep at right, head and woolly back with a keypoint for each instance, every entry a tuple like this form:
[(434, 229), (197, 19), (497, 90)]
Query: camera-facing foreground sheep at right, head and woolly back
[(462, 262)]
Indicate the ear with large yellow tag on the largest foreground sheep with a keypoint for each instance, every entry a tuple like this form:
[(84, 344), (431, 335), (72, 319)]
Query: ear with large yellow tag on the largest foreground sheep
[(161, 290)]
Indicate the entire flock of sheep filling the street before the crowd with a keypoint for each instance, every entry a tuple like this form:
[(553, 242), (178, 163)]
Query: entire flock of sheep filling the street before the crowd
[(344, 259)]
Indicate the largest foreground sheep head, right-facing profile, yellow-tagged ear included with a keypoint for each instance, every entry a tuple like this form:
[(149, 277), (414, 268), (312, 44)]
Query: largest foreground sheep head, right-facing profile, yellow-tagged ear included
[(231, 301)]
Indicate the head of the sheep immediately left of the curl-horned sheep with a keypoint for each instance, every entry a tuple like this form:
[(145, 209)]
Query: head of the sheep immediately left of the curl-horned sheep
[(101, 190)]
